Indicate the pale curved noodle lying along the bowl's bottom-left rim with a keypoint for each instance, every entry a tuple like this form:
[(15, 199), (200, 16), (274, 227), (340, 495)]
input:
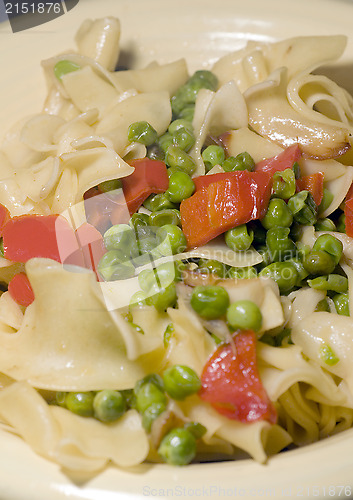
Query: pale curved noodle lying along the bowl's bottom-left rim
[(75, 443)]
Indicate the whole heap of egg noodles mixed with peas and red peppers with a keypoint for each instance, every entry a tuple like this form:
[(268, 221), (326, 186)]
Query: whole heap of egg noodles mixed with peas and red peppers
[(94, 328)]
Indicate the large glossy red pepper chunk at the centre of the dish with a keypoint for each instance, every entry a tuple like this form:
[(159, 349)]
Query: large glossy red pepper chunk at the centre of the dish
[(223, 201)]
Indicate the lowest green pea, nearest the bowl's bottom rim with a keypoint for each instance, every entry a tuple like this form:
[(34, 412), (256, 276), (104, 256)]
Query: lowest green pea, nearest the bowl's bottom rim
[(178, 447)]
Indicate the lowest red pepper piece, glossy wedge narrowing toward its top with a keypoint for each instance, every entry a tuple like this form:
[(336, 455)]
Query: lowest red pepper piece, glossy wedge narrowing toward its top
[(231, 382)]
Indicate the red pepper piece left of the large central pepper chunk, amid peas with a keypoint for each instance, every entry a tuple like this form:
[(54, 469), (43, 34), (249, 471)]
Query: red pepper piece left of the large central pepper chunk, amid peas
[(149, 176)]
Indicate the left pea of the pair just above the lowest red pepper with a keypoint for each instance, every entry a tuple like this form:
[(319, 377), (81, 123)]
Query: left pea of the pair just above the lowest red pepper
[(210, 302)]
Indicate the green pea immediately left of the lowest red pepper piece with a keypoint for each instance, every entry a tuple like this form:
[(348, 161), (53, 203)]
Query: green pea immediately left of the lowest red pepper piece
[(181, 381)]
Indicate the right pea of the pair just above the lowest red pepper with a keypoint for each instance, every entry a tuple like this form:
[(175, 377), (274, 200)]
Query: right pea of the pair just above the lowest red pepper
[(244, 314)]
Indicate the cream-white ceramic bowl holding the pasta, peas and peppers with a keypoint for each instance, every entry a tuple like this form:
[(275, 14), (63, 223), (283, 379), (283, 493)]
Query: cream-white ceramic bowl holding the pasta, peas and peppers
[(200, 31)]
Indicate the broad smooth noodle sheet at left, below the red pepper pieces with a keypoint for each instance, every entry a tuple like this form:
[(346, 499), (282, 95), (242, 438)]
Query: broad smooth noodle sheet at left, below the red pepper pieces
[(80, 349)]
